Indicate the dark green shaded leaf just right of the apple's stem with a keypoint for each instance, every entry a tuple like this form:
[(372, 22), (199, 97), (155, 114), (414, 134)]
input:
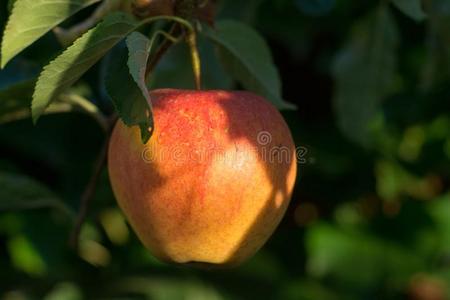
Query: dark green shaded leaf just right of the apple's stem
[(246, 56)]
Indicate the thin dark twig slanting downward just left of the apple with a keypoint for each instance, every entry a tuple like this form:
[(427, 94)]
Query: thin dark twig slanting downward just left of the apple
[(90, 188)]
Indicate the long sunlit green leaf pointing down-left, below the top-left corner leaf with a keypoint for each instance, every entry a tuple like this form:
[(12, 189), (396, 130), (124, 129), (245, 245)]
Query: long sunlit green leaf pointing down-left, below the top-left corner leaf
[(67, 68)]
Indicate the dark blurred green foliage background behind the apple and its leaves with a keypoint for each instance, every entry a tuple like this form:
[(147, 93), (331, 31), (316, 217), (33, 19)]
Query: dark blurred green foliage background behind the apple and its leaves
[(370, 215)]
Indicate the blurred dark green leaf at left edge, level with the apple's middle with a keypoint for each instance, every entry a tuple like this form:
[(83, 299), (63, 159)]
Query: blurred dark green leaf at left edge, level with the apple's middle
[(20, 192)]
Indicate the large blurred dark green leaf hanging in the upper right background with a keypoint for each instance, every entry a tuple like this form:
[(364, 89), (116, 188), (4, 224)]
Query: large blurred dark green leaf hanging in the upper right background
[(364, 71)]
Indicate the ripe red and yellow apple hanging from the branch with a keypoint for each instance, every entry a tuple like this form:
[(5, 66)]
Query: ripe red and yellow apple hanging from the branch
[(208, 188)]
